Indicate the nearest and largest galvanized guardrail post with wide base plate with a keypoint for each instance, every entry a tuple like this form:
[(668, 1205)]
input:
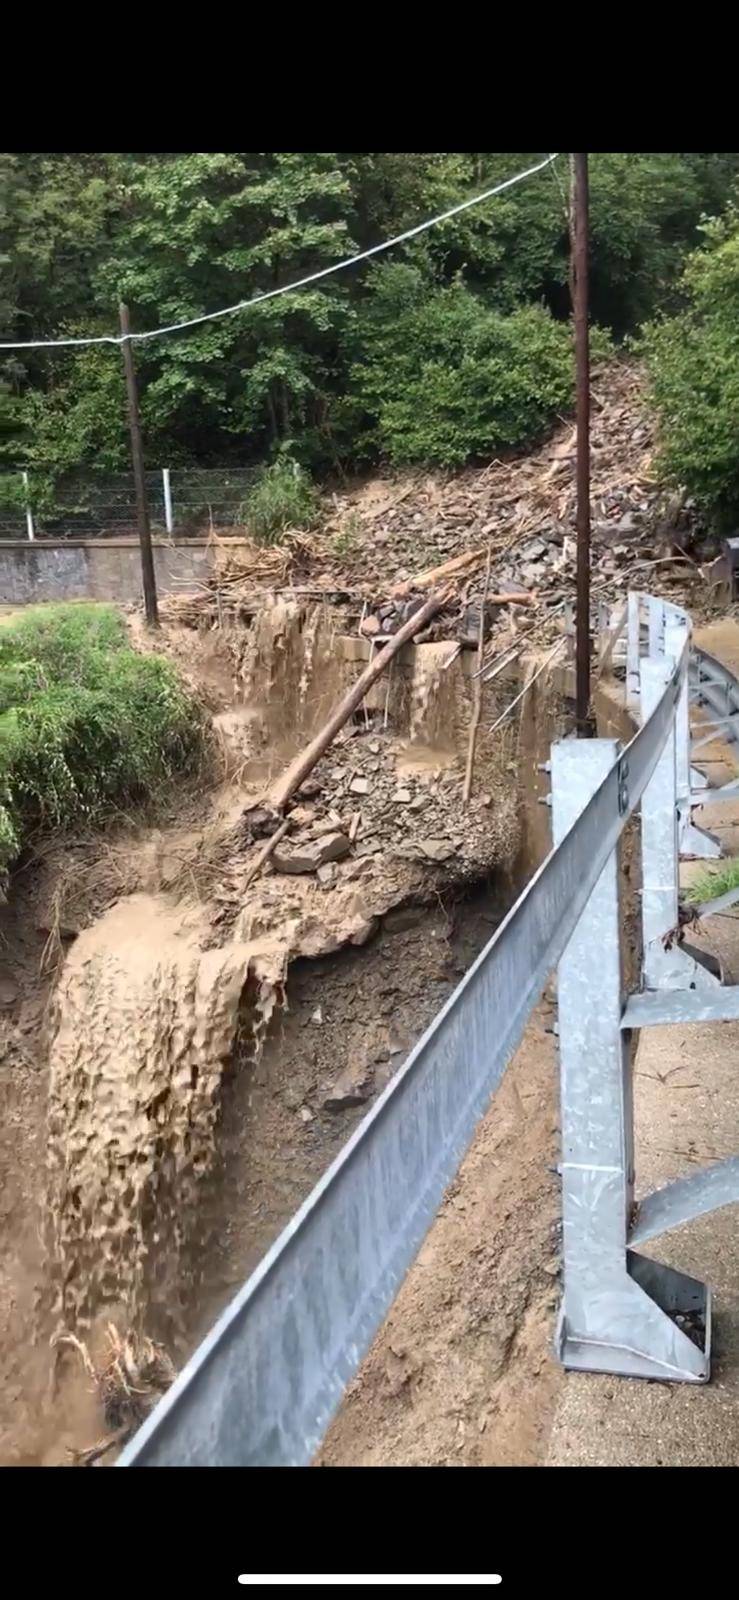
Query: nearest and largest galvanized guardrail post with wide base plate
[(618, 1308)]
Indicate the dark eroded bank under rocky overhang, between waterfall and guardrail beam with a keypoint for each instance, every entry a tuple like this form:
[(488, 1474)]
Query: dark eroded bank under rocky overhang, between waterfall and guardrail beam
[(346, 1025)]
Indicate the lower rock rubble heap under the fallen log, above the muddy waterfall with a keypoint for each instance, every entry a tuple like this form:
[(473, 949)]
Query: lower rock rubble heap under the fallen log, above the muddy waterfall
[(373, 822)]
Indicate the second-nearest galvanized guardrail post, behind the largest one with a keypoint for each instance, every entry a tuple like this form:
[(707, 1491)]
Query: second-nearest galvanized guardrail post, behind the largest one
[(666, 964)]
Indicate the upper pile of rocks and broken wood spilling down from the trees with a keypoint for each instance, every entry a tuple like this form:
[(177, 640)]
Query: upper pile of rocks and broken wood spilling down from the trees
[(377, 538)]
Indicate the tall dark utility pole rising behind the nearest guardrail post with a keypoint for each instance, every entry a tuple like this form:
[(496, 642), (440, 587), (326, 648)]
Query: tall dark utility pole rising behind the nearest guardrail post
[(583, 418)]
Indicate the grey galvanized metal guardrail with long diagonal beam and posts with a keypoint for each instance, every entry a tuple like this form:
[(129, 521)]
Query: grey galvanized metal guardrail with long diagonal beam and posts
[(268, 1380)]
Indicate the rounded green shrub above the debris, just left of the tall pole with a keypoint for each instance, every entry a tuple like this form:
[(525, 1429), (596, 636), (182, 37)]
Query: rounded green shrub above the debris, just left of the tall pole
[(447, 378)]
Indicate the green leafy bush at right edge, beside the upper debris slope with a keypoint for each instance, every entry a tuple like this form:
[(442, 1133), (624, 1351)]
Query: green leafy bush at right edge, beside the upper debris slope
[(695, 369)]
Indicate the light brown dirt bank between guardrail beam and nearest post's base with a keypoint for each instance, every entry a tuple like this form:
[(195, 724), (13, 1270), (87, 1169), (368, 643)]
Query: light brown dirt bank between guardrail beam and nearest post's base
[(461, 1374)]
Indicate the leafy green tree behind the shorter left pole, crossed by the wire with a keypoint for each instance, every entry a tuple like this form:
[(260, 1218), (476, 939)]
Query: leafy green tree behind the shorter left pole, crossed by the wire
[(209, 231)]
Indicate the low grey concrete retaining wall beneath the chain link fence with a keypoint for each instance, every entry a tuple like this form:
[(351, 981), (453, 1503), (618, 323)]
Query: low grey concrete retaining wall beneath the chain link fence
[(97, 569)]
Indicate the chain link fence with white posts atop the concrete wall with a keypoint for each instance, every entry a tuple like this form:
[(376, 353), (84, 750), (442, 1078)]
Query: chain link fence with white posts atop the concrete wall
[(185, 502)]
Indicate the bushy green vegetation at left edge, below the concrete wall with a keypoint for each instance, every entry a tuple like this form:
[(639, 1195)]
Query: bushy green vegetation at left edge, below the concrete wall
[(86, 721)]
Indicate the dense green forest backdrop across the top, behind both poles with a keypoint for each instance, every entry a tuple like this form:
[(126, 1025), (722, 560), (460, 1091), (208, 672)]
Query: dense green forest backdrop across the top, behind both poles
[(479, 353)]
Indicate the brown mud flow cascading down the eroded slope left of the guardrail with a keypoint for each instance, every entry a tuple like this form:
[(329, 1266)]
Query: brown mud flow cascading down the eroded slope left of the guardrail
[(188, 1044)]
